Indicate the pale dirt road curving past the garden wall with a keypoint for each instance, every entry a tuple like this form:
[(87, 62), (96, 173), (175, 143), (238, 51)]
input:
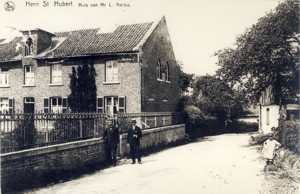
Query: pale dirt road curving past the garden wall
[(218, 164)]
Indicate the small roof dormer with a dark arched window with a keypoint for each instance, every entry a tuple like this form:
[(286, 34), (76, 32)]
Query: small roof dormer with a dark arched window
[(36, 41)]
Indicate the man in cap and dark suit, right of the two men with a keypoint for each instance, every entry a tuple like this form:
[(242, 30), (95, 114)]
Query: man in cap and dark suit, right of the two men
[(133, 140)]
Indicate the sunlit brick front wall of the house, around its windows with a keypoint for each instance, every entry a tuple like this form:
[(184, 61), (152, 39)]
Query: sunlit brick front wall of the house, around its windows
[(128, 86)]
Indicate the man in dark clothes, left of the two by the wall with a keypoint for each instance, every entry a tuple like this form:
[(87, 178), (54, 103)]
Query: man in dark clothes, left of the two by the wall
[(112, 141)]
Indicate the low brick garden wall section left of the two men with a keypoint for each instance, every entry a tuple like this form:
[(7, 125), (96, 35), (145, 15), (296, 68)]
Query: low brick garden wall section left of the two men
[(35, 166)]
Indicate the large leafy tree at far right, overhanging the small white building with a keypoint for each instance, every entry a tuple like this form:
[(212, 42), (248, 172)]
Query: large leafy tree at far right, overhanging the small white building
[(264, 56)]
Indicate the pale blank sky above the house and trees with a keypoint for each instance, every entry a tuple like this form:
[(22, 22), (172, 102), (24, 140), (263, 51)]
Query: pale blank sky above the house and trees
[(198, 28)]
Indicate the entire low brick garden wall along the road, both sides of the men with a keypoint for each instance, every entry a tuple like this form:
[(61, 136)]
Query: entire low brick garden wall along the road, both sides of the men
[(35, 166)]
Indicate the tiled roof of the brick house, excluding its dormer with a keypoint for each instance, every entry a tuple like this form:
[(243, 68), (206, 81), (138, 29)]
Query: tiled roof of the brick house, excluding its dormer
[(124, 38)]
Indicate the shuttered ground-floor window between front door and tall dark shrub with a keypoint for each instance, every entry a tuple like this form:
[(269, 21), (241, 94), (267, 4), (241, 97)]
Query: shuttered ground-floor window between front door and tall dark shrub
[(55, 105)]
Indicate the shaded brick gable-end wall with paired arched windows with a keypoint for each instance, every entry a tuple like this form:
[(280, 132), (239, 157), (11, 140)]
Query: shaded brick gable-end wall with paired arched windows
[(159, 95)]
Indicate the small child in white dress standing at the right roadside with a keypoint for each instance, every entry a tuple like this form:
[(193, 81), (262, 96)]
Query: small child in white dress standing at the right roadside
[(269, 147)]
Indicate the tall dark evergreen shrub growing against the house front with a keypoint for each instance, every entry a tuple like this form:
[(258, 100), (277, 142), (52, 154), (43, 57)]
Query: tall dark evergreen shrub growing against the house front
[(83, 88)]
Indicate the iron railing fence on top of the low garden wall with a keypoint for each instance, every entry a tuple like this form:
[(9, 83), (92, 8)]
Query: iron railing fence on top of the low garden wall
[(21, 131)]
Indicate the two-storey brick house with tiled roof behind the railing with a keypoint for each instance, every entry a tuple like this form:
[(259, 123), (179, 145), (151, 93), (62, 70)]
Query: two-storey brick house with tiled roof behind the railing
[(135, 65)]
